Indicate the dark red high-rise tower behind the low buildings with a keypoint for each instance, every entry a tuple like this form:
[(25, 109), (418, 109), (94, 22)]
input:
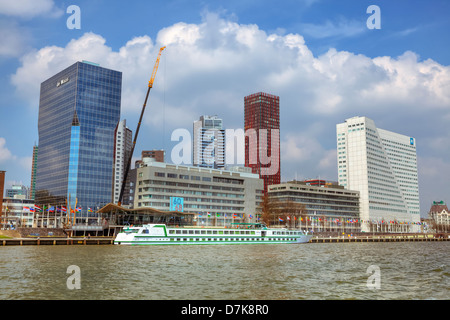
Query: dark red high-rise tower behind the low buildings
[(262, 111)]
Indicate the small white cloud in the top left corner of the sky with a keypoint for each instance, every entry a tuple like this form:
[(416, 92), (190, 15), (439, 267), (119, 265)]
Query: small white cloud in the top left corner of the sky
[(29, 8)]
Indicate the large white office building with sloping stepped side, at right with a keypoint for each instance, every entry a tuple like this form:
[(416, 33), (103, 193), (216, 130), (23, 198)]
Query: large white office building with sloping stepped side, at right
[(382, 166)]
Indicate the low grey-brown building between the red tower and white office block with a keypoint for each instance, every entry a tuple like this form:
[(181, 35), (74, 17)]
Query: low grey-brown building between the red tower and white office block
[(329, 207)]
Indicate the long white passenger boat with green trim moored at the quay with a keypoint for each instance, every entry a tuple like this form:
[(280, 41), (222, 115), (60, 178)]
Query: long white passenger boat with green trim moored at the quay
[(239, 233)]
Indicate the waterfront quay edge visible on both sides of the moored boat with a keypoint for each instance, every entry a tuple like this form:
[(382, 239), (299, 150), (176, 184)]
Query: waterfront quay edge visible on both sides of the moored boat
[(37, 241)]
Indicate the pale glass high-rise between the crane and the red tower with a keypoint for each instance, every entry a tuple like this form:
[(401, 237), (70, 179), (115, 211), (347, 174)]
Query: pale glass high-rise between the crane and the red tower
[(209, 143)]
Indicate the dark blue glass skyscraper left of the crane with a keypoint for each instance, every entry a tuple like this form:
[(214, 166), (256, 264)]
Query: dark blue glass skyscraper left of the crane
[(79, 110)]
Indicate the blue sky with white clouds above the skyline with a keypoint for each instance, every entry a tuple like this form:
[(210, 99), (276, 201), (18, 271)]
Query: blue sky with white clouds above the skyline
[(321, 57)]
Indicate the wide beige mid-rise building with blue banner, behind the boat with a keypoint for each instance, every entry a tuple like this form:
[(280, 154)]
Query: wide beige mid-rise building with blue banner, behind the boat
[(216, 197)]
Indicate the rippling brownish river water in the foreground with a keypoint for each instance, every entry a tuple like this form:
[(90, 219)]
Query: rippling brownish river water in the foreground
[(407, 270)]
